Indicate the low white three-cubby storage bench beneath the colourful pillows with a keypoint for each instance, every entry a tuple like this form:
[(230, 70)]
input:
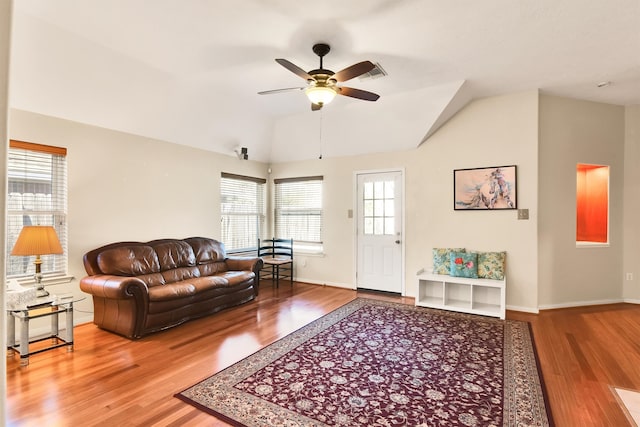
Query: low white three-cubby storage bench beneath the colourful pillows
[(485, 297)]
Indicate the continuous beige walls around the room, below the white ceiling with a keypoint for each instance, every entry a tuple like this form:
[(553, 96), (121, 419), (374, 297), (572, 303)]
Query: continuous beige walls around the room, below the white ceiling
[(127, 187)]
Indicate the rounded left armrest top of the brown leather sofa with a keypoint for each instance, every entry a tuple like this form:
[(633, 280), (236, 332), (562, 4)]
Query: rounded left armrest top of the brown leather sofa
[(115, 287)]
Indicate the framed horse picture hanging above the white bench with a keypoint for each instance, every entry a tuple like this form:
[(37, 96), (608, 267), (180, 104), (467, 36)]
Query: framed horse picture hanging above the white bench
[(488, 188)]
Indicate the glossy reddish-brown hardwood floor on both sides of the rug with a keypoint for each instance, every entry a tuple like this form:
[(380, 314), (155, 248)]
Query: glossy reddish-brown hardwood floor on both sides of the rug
[(109, 380)]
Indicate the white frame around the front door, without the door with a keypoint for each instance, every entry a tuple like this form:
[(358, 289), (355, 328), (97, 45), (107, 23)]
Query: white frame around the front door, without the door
[(354, 215)]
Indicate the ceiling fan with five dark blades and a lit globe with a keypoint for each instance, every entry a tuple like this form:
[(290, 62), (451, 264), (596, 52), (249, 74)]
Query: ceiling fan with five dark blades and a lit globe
[(322, 84)]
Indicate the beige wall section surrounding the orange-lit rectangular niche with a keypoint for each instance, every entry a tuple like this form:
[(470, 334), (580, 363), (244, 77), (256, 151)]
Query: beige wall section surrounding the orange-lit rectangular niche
[(571, 132)]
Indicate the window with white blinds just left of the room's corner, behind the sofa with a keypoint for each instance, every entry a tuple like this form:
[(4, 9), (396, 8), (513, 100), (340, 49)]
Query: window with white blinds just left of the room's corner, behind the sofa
[(242, 204)]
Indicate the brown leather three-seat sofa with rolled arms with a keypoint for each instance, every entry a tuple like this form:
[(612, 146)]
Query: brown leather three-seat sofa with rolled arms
[(140, 288)]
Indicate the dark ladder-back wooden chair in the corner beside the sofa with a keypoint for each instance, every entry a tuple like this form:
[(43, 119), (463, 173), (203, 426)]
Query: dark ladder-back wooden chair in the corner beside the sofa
[(277, 258)]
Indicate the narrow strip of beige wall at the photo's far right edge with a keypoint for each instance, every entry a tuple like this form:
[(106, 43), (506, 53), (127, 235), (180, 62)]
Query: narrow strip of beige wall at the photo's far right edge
[(631, 288)]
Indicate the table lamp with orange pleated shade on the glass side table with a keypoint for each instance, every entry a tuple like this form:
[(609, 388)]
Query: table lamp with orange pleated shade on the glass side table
[(37, 240)]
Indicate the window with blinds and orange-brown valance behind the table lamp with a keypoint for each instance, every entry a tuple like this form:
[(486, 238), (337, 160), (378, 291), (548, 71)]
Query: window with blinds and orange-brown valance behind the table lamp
[(36, 195)]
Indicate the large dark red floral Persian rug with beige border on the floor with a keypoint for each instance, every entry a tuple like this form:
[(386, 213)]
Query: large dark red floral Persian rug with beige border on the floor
[(376, 363)]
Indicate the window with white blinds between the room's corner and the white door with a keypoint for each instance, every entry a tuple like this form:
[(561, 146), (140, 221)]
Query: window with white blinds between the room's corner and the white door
[(298, 212)]
